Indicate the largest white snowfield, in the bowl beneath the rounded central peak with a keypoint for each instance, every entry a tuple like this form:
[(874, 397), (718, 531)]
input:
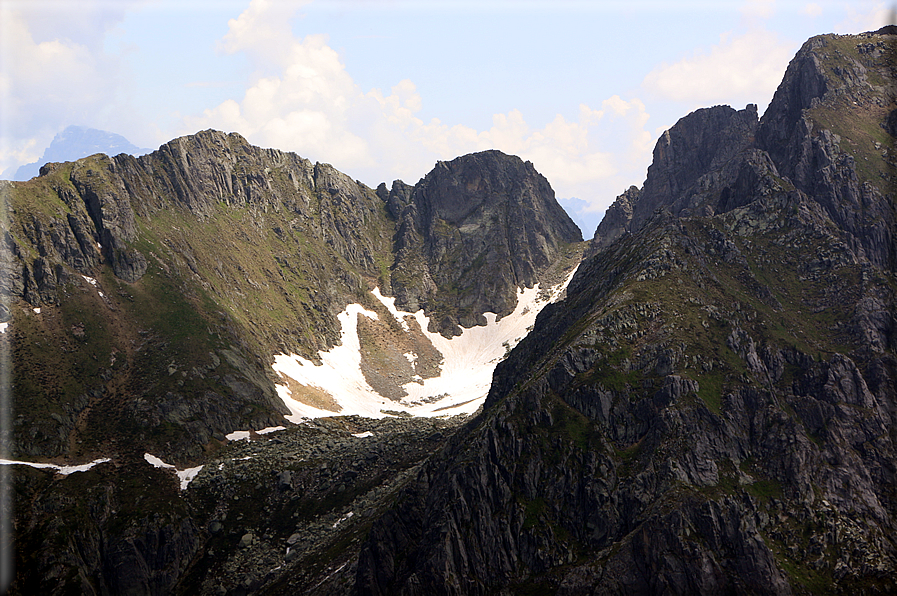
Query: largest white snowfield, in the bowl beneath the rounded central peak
[(461, 387)]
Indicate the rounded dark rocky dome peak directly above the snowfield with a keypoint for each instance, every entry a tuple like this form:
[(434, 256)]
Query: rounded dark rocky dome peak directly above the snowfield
[(486, 222)]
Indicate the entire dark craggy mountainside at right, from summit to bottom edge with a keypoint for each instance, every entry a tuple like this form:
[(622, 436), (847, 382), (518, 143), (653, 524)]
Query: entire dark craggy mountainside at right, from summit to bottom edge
[(712, 408)]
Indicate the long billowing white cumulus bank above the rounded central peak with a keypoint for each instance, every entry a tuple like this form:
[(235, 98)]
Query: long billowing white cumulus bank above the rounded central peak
[(302, 99)]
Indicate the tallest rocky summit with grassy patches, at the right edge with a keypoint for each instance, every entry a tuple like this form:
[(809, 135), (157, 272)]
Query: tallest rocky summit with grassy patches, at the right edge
[(827, 130)]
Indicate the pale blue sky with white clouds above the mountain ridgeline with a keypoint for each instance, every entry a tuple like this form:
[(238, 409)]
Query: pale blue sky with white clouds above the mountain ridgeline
[(384, 89)]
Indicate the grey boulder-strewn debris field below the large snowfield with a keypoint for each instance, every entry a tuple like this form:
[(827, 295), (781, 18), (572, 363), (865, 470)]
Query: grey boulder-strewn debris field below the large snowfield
[(285, 497)]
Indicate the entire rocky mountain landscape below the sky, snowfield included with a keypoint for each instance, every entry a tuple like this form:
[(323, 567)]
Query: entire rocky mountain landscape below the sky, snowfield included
[(708, 407)]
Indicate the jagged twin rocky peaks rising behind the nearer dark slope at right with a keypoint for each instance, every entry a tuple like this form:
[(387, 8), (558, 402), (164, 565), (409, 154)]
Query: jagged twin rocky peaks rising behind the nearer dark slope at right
[(814, 137)]
